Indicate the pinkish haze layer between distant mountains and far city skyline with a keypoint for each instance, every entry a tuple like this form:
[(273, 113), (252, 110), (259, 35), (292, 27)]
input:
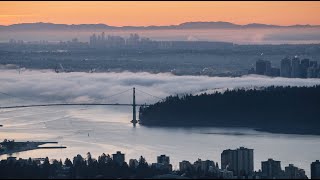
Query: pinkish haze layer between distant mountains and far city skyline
[(238, 36)]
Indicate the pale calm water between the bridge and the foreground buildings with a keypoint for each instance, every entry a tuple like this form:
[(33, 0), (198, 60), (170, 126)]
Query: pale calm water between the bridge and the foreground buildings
[(109, 130)]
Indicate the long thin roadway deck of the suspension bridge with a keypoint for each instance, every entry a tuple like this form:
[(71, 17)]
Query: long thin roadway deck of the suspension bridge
[(71, 104)]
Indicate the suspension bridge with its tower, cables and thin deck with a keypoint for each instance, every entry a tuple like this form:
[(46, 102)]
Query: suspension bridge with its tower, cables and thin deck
[(134, 105)]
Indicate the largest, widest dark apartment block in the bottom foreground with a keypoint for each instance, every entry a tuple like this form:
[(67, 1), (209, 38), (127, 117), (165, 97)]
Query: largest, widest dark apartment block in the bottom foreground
[(240, 161)]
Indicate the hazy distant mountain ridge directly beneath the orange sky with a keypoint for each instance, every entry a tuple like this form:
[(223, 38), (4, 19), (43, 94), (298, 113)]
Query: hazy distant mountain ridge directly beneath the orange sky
[(187, 25)]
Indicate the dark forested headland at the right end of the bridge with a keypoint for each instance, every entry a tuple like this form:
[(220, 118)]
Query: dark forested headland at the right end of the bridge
[(293, 110)]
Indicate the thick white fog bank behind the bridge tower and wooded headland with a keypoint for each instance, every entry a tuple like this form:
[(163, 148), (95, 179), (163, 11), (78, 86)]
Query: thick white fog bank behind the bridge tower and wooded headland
[(33, 86)]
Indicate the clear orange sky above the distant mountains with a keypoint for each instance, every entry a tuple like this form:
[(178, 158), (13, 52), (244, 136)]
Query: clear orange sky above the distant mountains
[(143, 13)]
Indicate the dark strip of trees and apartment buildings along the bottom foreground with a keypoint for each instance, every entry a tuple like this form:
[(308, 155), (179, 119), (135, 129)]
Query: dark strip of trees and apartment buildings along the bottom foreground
[(236, 163)]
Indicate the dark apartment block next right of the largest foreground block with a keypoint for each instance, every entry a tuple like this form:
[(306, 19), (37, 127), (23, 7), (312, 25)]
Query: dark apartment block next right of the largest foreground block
[(271, 169)]
